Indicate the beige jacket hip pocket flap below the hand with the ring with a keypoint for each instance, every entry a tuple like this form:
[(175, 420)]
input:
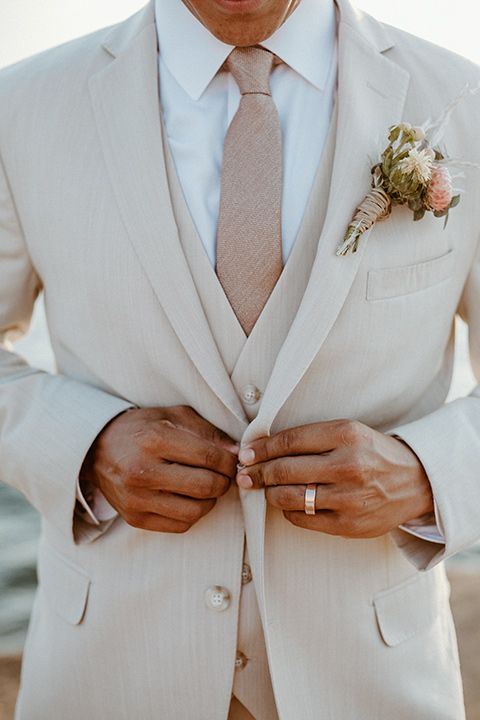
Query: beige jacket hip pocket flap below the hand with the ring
[(406, 609)]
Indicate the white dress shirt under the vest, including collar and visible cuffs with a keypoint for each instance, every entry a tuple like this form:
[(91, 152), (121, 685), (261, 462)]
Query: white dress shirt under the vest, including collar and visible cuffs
[(198, 101)]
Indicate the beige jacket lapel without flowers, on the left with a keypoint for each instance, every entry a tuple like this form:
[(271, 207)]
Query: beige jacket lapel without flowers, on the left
[(125, 102)]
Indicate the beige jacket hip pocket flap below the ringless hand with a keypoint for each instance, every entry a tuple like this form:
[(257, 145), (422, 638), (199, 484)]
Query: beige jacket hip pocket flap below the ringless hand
[(65, 586)]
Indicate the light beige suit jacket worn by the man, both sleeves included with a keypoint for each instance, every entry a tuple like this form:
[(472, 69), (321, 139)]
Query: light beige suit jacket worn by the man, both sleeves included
[(357, 630)]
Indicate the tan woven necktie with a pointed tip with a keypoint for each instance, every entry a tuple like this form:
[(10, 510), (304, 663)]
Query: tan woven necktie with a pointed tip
[(249, 239)]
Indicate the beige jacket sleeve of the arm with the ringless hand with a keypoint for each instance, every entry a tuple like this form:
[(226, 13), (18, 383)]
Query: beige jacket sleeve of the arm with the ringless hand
[(47, 422)]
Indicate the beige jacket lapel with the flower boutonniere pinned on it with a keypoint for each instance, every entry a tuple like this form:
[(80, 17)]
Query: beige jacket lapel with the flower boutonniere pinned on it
[(371, 94)]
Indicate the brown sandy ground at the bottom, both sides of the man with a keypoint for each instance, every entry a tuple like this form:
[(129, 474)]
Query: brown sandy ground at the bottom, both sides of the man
[(466, 610)]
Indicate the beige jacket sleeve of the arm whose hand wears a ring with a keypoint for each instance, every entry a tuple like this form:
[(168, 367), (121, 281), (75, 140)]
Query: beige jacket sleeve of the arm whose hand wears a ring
[(447, 442)]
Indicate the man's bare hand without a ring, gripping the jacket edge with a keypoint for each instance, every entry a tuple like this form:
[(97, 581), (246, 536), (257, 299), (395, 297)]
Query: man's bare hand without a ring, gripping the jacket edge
[(162, 469)]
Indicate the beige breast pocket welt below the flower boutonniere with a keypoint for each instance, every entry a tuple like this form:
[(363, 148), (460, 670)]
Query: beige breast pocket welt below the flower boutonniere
[(394, 282)]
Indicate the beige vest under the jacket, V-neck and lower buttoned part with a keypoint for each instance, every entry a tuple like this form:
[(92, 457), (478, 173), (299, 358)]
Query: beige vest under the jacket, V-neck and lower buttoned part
[(249, 362)]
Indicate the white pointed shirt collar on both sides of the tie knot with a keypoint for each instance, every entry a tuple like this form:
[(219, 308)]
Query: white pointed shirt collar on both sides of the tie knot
[(305, 42)]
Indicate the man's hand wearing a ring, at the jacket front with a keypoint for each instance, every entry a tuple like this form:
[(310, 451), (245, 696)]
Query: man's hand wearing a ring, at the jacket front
[(368, 483)]
